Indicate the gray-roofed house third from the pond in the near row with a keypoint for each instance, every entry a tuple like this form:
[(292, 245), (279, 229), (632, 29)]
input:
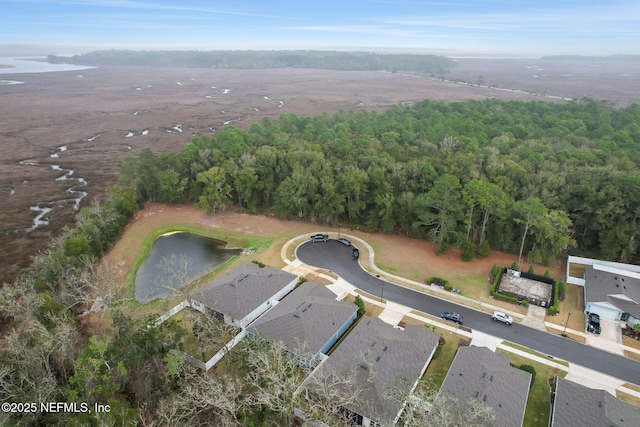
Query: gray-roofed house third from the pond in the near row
[(382, 357)]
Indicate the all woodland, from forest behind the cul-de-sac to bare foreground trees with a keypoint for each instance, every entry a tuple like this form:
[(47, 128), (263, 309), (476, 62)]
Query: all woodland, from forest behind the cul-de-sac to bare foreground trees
[(534, 178)]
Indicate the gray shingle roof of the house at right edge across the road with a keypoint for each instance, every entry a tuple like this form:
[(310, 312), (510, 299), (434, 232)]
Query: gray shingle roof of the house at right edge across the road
[(603, 286)]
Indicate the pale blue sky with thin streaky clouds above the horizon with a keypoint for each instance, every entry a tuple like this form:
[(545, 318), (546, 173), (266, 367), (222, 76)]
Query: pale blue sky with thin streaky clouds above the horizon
[(511, 27)]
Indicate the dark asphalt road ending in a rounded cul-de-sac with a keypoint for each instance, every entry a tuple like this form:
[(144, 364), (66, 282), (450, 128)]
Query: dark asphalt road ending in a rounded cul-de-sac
[(336, 257)]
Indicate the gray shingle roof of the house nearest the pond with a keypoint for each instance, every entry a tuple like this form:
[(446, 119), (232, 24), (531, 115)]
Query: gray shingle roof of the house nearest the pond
[(243, 289)]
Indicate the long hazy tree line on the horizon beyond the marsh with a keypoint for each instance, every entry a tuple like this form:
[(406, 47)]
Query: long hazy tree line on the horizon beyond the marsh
[(257, 59)]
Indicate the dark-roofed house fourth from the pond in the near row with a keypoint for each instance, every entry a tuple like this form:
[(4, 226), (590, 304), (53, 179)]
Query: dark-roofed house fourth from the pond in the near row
[(479, 373)]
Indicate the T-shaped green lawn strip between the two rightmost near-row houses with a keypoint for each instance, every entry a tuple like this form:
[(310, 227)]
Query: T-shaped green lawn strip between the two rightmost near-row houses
[(538, 404)]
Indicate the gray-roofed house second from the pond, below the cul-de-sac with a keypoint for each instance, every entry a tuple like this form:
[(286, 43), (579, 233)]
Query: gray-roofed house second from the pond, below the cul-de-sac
[(309, 319)]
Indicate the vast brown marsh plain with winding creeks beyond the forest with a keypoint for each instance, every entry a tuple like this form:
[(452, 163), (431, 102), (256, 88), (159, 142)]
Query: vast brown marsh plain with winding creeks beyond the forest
[(64, 134)]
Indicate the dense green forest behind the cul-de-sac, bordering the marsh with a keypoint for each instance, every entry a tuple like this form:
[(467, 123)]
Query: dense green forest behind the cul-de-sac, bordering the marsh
[(533, 178)]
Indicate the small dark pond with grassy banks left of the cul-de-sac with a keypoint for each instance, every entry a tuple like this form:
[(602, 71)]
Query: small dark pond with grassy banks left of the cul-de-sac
[(176, 259)]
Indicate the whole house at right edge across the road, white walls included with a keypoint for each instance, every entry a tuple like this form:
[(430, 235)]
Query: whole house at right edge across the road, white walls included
[(612, 293)]
